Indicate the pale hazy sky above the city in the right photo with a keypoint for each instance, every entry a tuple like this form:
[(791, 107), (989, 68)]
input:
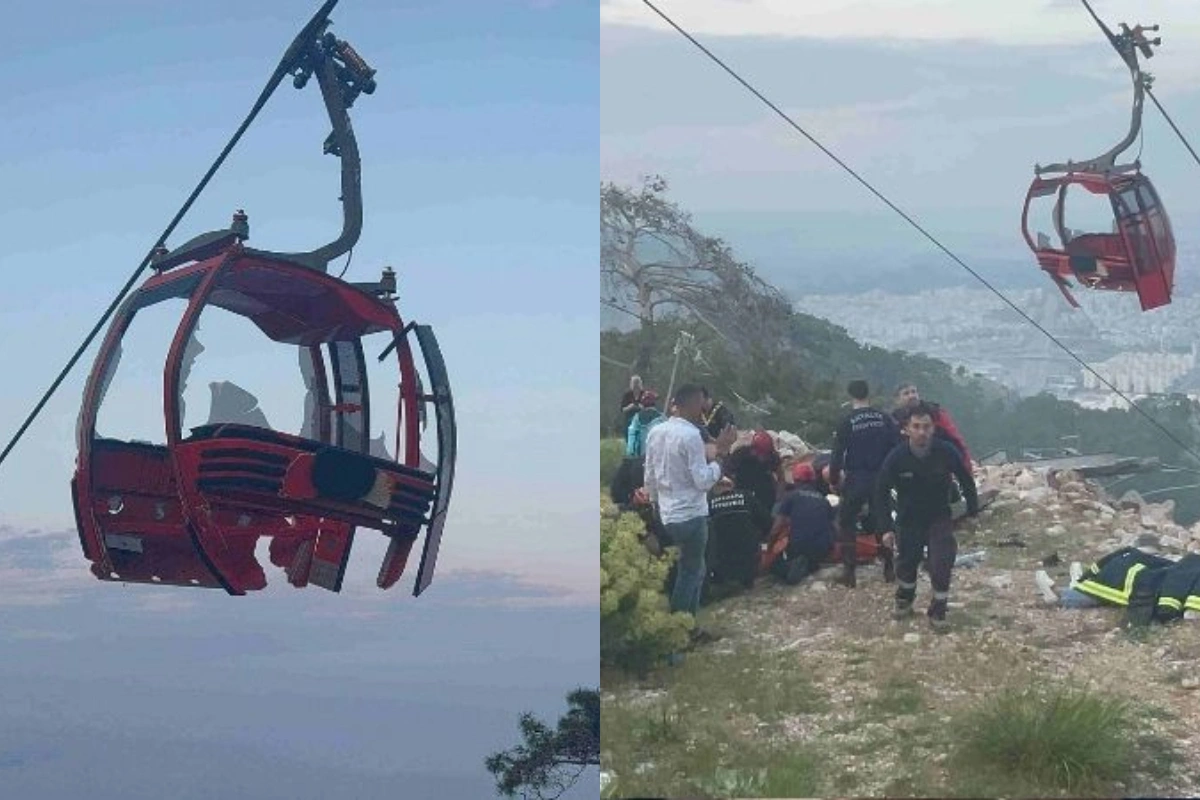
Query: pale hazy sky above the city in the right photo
[(945, 105)]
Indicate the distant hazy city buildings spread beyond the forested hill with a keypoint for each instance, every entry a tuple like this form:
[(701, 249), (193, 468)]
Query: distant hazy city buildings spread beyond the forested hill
[(1139, 353)]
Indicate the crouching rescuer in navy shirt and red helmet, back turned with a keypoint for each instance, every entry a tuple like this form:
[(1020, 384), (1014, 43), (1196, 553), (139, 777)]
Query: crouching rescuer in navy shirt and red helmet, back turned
[(805, 519)]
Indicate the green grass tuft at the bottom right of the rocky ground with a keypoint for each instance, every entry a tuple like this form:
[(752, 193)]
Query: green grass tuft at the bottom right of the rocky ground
[(1067, 741)]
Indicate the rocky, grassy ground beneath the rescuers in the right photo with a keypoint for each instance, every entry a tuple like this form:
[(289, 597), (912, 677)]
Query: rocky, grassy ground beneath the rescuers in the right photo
[(814, 690)]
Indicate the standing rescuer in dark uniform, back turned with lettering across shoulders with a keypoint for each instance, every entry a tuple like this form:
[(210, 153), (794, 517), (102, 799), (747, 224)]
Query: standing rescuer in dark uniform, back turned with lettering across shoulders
[(863, 441)]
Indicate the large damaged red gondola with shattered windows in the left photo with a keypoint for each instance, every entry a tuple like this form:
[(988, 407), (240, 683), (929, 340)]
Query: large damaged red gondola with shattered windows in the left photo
[(191, 513)]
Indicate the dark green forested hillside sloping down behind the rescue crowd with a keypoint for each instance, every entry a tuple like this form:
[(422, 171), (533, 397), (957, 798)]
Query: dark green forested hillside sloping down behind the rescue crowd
[(783, 370)]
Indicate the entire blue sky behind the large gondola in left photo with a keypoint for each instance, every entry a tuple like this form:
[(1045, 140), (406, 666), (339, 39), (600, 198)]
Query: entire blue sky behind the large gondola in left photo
[(479, 153)]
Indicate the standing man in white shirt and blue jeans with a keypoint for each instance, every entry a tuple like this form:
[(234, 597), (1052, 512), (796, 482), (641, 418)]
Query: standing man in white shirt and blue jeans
[(680, 472)]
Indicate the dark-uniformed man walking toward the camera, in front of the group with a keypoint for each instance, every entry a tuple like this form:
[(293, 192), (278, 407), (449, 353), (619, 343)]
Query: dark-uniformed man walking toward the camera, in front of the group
[(921, 471)]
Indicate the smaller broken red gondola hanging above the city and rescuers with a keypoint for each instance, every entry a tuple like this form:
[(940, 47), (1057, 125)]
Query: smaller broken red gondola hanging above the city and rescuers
[(1138, 255)]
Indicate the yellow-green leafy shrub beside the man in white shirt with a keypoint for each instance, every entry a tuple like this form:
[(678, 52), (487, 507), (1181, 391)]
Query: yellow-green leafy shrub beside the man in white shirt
[(637, 625)]
